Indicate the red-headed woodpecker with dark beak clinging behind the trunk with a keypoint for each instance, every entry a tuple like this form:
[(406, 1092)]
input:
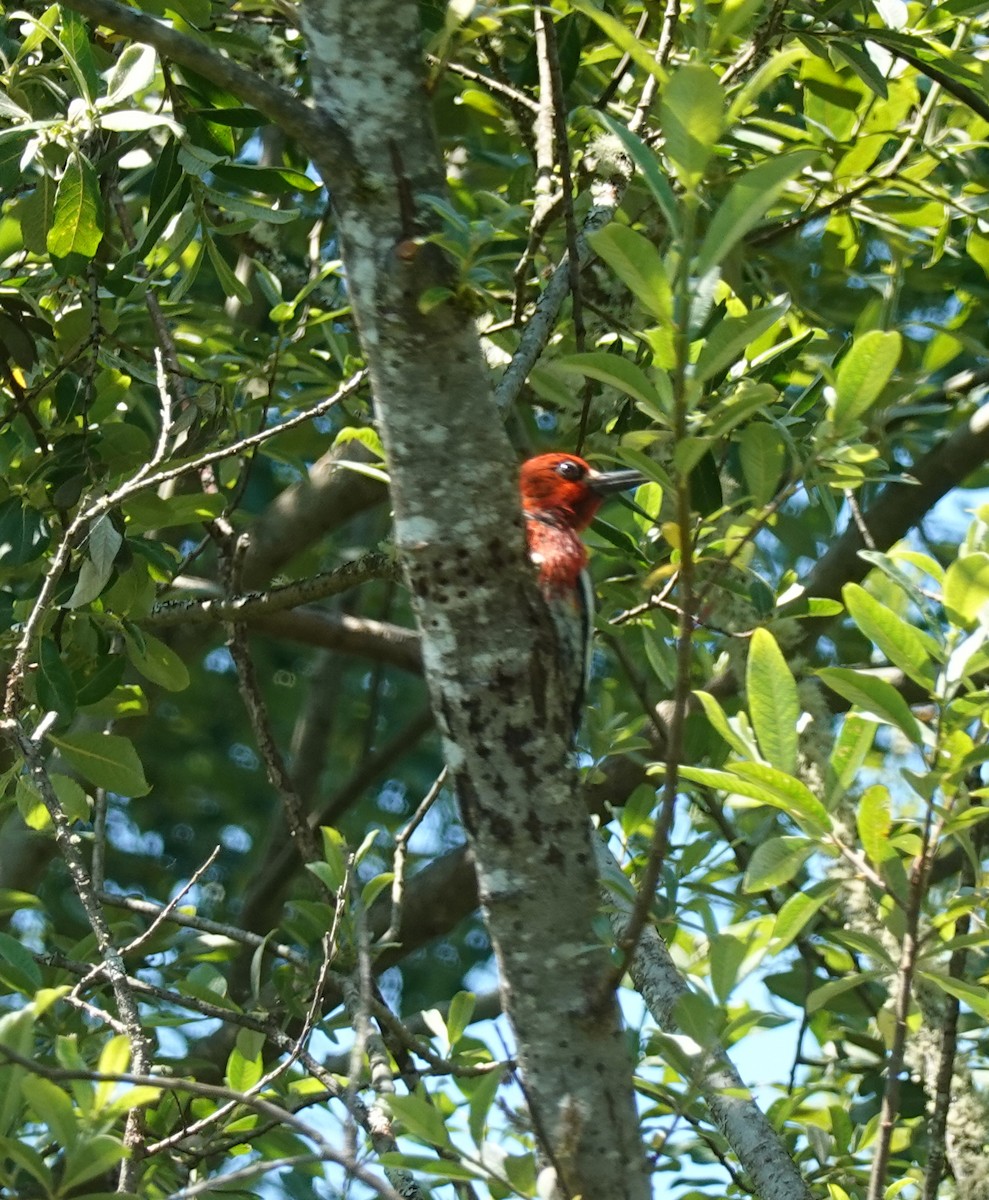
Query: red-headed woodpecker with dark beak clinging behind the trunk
[(561, 494)]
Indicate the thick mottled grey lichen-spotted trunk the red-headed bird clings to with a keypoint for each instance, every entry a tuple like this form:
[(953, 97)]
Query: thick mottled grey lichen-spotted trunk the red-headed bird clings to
[(485, 637)]
